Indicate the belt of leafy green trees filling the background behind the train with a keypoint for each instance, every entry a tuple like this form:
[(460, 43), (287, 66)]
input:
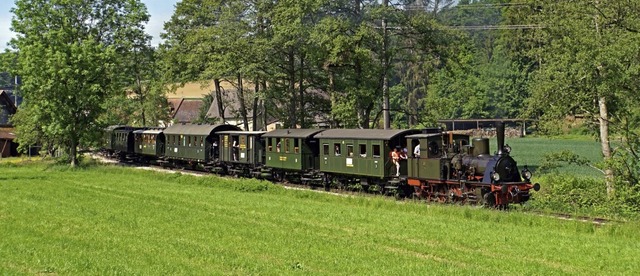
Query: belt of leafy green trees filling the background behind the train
[(85, 64)]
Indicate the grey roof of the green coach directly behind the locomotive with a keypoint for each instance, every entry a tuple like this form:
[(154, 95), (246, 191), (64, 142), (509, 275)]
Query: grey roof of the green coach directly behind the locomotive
[(366, 134)]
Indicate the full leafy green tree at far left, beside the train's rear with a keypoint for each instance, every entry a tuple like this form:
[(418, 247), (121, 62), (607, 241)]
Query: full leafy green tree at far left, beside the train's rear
[(71, 61)]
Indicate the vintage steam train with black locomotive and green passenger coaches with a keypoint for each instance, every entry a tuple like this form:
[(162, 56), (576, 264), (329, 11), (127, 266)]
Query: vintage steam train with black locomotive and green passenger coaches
[(441, 166)]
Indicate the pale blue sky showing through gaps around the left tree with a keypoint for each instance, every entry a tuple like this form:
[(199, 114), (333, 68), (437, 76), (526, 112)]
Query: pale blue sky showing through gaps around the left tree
[(160, 11)]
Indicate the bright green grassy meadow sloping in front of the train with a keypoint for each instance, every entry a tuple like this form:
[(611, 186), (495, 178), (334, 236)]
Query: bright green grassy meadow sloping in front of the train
[(116, 220)]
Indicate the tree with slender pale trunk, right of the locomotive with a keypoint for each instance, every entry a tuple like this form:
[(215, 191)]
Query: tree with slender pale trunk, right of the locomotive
[(590, 67)]
